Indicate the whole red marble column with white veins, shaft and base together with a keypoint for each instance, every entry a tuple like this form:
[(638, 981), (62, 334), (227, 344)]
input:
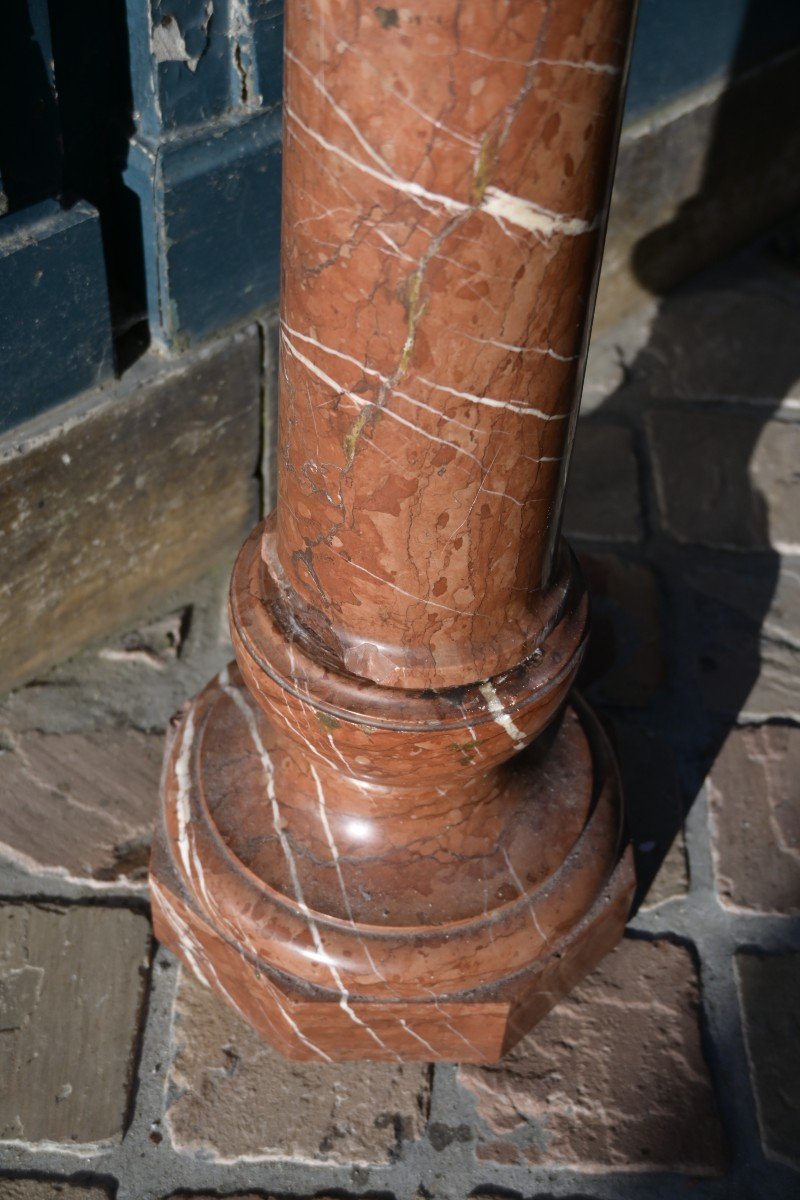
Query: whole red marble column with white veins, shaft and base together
[(388, 831)]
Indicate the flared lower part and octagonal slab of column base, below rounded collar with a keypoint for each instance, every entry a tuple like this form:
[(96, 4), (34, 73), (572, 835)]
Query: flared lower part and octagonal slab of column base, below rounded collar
[(245, 896)]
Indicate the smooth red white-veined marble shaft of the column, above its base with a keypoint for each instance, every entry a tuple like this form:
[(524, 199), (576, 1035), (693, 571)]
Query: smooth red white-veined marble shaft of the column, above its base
[(447, 178)]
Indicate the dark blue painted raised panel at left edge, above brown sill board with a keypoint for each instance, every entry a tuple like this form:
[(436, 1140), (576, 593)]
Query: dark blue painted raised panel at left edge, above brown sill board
[(56, 334)]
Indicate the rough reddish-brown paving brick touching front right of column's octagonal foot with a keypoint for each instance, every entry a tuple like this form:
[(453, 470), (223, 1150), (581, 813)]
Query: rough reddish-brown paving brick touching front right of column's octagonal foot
[(613, 1078)]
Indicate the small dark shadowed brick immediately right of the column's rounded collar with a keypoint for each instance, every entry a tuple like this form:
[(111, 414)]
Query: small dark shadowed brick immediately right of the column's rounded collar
[(624, 663)]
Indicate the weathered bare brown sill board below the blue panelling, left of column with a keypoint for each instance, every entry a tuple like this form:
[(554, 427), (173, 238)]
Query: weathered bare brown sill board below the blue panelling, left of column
[(125, 497)]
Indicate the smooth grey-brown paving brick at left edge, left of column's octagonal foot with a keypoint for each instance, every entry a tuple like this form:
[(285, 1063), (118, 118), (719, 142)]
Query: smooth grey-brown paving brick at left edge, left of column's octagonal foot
[(73, 986)]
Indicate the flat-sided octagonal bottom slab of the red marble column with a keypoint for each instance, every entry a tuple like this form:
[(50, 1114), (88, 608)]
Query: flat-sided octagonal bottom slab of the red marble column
[(310, 1024)]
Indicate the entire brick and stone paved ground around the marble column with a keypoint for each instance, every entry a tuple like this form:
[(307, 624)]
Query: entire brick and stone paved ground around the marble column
[(675, 1070)]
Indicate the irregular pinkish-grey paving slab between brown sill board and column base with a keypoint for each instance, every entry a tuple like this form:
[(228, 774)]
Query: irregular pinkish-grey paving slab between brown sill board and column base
[(81, 749)]
